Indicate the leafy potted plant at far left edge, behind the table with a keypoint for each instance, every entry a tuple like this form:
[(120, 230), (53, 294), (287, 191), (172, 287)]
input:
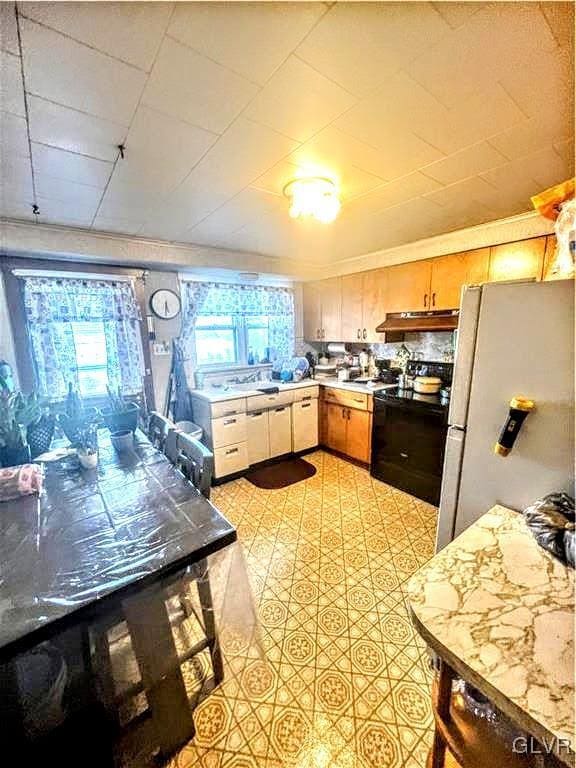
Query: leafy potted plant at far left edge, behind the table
[(17, 413)]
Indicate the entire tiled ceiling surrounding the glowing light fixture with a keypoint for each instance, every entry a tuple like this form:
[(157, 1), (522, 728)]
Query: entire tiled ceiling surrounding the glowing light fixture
[(428, 116)]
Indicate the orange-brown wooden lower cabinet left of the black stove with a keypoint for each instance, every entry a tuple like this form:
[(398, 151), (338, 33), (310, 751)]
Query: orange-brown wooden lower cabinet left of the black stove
[(346, 430)]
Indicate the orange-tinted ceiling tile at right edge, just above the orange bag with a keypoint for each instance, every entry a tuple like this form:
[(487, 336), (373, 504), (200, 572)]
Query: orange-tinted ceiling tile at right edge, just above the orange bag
[(532, 134)]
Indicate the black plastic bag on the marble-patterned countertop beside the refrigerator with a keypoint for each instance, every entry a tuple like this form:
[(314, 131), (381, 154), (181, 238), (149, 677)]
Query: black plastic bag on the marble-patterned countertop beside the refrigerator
[(552, 521)]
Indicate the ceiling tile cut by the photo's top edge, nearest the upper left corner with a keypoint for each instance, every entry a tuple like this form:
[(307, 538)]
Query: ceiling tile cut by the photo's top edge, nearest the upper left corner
[(128, 31)]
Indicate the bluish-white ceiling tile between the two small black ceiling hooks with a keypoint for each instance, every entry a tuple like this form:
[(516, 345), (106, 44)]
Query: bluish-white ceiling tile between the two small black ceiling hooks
[(69, 166)]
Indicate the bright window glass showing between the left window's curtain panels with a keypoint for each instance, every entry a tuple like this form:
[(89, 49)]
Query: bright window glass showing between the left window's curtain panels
[(91, 358)]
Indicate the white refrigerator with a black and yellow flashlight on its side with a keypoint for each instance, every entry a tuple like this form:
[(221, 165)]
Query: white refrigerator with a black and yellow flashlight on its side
[(514, 338)]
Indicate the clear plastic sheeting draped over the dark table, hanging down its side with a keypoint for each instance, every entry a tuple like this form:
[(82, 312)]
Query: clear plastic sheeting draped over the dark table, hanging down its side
[(130, 562)]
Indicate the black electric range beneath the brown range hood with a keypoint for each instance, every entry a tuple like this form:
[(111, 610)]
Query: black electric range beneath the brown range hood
[(409, 436)]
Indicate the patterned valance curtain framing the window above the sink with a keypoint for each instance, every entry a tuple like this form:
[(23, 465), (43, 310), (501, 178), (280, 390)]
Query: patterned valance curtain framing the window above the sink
[(242, 301)]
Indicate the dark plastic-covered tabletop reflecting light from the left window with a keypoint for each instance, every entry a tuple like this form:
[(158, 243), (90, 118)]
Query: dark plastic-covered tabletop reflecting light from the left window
[(96, 535)]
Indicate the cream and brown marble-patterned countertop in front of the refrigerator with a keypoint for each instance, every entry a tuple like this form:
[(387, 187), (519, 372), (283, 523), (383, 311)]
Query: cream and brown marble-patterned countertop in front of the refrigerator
[(500, 610)]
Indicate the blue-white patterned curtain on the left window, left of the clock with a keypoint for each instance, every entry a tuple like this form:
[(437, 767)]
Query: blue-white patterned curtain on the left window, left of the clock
[(53, 304)]
